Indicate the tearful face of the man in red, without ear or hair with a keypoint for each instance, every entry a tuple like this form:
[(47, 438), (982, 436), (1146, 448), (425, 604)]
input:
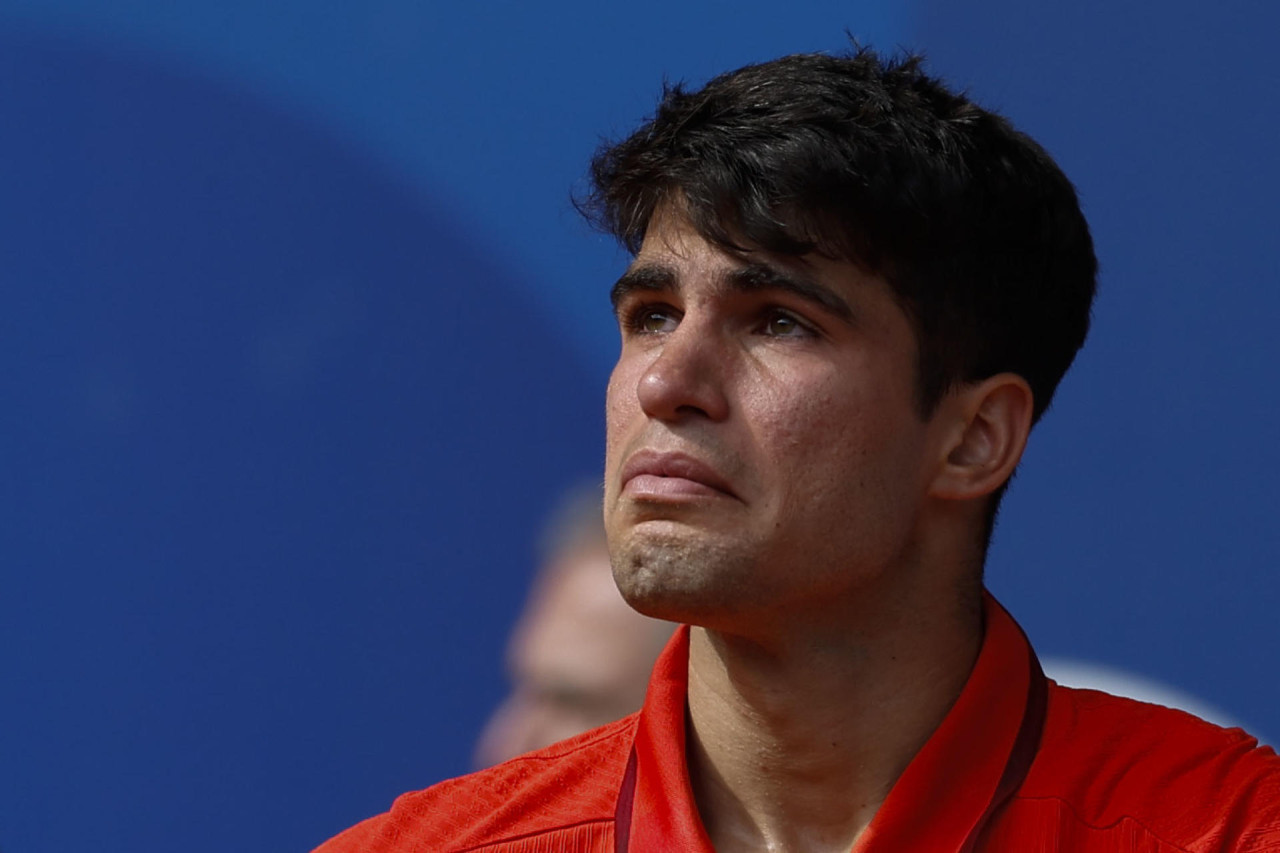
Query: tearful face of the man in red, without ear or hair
[(765, 451)]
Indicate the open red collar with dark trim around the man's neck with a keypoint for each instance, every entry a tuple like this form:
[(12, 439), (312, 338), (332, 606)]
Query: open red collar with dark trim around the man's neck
[(964, 773)]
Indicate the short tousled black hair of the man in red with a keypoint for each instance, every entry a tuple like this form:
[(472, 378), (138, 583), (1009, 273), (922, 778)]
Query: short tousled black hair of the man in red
[(871, 161)]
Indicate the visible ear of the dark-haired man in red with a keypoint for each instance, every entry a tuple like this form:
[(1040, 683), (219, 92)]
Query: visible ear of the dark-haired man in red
[(990, 426)]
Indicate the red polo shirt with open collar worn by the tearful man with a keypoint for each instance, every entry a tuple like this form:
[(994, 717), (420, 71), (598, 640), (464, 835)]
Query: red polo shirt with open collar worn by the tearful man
[(1018, 764)]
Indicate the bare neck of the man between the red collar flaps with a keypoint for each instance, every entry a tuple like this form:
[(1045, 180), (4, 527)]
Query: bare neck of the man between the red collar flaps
[(797, 738)]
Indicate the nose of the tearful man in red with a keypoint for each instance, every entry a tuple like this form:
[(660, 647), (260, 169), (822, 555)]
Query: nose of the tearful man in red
[(688, 377)]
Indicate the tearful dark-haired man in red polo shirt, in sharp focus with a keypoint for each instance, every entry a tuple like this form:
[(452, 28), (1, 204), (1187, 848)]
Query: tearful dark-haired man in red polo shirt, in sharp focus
[(853, 294)]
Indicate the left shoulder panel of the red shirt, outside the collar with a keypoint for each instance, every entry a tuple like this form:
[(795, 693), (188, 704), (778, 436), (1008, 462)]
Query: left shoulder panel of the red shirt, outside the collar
[(566, 786)]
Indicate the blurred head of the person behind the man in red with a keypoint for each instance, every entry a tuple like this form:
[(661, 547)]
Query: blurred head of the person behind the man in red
[(579, 656)]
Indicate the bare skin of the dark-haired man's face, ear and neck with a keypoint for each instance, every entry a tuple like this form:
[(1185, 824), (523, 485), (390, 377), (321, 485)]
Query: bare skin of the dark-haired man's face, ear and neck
[(771, 481)]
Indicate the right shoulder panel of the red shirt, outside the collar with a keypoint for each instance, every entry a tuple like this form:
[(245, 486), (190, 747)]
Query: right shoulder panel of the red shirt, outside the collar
[(1192, 786)]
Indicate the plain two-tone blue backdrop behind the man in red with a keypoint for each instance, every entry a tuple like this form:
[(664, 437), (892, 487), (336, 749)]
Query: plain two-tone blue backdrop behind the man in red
[(301, 337)]
